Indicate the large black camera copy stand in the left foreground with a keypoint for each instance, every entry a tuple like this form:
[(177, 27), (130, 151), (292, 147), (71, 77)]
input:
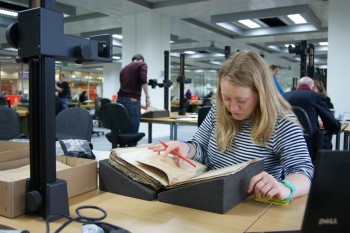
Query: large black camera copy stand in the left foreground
[(39, 37)]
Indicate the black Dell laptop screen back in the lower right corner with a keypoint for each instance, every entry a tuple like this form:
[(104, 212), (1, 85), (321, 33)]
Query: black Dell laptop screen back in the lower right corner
[(328, 204)]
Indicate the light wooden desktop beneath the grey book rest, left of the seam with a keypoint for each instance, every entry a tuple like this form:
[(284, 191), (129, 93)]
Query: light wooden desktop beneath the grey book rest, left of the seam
[(138, 215)]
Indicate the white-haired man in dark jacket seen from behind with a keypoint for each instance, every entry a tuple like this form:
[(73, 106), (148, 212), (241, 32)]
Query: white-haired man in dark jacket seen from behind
[(315, 104)]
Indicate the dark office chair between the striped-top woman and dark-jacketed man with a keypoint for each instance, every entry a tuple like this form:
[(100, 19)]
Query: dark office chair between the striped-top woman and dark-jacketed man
[(305, 122)]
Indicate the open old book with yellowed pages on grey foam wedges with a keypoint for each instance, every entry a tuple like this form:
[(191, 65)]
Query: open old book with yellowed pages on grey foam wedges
[(157, 171)]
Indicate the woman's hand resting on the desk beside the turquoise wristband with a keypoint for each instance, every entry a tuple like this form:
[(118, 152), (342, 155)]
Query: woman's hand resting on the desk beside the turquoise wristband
[(266, 186)]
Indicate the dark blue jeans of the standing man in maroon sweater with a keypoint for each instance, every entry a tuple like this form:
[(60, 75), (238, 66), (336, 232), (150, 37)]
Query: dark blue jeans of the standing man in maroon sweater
[(134, 110)]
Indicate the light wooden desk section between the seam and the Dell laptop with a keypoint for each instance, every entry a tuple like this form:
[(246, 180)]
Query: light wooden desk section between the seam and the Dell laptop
[(278, 218)]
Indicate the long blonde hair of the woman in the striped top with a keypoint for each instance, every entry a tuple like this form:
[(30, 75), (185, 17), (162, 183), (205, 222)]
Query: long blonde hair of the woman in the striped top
[(249, 69)]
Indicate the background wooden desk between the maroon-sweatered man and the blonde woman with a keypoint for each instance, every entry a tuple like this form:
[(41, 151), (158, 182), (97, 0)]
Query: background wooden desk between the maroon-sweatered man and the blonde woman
[(173, 121)]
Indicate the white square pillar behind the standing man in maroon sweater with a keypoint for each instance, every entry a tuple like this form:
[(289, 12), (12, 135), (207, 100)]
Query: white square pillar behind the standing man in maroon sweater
[(148, 34)]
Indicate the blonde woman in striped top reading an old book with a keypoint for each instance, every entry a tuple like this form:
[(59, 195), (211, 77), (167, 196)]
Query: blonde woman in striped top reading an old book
[(251, 120)]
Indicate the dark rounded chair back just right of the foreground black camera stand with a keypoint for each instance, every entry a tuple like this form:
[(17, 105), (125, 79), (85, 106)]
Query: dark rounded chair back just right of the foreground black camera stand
[(74, 123)]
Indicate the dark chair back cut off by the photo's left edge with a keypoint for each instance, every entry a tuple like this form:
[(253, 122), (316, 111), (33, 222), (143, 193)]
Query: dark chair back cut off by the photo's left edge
[(9, 124)]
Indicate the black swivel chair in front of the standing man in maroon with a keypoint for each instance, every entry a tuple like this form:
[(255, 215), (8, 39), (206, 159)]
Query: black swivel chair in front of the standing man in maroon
[(116, 118)]
